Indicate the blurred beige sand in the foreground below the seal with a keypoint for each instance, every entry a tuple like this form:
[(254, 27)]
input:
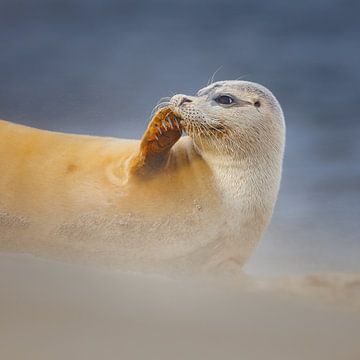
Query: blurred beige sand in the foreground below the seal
[(49, 310)]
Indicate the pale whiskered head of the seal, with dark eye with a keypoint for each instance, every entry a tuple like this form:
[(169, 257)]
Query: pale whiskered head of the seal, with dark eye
[(231, 118)]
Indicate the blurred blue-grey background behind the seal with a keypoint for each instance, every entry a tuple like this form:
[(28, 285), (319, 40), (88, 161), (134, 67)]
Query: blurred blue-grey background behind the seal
[(99, 67)]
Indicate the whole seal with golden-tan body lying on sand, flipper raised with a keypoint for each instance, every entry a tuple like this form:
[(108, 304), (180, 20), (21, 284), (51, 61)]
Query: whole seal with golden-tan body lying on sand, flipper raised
[(186, 204)]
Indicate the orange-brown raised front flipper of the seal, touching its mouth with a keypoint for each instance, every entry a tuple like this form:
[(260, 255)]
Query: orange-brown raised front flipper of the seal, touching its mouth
[(162, 133)]
